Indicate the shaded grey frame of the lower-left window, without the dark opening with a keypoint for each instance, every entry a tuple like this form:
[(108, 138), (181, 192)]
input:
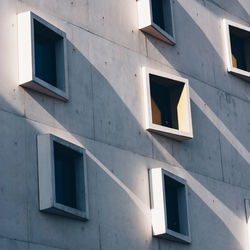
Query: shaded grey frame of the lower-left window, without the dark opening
[(46, 177)]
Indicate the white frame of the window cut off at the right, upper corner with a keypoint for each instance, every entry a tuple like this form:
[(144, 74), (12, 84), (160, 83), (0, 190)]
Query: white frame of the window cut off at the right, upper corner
[(243, 74)]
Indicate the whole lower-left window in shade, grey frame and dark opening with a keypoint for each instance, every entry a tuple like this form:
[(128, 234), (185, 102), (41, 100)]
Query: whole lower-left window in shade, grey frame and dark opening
[(62, 177)]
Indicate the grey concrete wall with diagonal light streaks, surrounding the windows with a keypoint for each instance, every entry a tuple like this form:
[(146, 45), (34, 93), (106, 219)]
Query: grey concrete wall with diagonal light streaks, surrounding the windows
[(105, 114)]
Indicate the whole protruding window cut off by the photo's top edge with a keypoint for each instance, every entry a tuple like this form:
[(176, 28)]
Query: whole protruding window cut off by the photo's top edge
[(156, 18)]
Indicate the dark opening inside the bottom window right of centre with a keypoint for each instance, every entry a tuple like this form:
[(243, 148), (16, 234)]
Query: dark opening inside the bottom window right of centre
[(172, 203)]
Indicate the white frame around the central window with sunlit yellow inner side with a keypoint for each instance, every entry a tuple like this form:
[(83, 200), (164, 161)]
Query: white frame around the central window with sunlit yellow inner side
[(185, 130)]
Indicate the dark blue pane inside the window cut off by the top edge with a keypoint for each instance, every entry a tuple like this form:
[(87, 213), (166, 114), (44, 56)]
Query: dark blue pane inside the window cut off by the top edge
[(162, 15)]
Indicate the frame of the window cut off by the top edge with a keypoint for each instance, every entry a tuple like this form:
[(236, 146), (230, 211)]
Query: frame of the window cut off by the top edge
[(146, 23)]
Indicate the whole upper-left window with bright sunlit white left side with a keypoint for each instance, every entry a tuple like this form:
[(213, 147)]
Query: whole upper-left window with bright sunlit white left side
[(42, 56)]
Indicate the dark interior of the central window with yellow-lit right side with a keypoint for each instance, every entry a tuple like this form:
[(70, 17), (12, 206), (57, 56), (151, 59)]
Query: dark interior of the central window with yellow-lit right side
[(165, 95)]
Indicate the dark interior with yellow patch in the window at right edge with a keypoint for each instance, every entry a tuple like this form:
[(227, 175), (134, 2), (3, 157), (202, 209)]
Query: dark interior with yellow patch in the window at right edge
[(240, 47)]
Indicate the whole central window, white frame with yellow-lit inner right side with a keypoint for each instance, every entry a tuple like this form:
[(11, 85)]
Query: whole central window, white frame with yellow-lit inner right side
[(167, 104)]
